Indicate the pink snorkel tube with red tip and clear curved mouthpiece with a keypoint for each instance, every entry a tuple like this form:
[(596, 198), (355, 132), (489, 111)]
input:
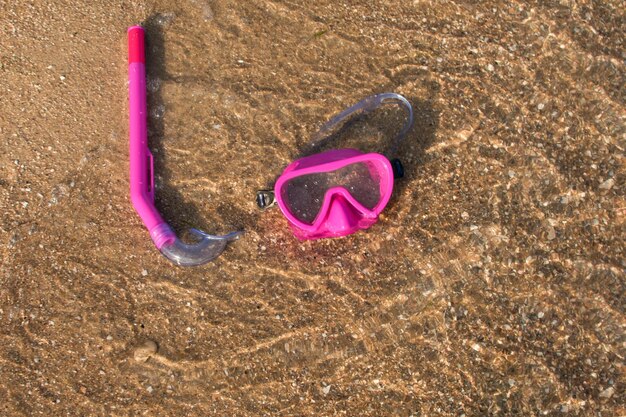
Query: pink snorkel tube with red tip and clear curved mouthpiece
[(142, 172)]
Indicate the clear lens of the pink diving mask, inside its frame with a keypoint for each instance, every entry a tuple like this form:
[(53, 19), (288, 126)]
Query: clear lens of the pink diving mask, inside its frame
[(304, 195)]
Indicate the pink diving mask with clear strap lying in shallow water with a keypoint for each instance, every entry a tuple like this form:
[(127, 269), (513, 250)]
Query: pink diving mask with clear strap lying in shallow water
[(338, 192)]
